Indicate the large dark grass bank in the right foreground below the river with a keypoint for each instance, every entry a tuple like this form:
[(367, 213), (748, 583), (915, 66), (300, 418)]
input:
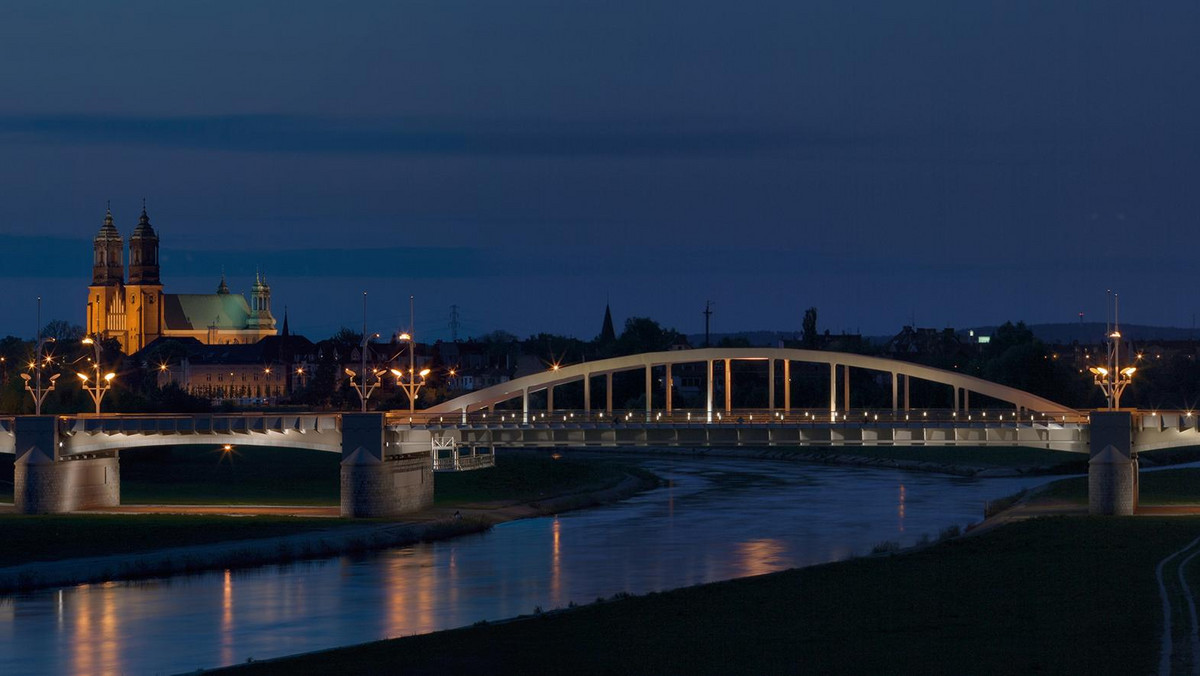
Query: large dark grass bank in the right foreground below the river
[(1052, 596)]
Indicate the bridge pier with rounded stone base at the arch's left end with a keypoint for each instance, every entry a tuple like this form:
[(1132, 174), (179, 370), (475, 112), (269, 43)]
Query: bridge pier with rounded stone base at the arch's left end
[(379, 481)]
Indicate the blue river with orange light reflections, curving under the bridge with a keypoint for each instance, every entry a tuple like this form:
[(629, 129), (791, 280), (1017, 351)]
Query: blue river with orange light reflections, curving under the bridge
[(718, 519)]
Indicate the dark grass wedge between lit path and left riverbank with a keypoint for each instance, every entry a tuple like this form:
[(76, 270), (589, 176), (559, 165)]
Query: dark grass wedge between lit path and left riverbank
[(55, 537)]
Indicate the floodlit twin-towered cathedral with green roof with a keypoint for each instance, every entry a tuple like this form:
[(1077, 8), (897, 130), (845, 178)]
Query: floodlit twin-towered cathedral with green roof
[(137, 312)]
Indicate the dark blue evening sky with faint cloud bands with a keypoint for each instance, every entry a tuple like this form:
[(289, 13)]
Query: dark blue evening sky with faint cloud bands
[(953, 163)]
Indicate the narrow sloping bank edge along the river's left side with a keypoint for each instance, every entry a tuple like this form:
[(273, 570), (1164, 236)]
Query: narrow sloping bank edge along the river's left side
[(434, 524)]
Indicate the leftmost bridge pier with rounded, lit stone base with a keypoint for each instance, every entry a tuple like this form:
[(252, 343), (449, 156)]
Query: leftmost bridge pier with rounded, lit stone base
[(47, 483)]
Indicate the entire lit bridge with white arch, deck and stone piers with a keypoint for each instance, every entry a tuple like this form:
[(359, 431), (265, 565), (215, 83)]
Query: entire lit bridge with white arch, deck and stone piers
[(388, 460)]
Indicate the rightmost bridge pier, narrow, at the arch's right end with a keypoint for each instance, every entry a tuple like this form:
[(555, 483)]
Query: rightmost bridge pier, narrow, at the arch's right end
[(1113, 469)]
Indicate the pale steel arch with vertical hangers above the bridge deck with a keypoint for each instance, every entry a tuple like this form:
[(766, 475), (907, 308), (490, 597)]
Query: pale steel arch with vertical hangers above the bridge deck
[(589, 370)]
